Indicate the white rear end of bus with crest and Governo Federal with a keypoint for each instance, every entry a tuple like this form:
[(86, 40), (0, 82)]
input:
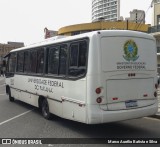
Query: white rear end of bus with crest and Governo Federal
[(123, 81)]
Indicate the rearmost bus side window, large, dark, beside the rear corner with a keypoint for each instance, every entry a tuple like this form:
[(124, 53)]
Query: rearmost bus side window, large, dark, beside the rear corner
[(78, 58)]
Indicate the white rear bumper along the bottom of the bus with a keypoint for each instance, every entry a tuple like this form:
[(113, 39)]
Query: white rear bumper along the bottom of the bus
[(97, 115)]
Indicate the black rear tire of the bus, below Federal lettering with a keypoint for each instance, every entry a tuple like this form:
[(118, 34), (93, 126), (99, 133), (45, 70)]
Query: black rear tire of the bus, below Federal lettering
[(45, 109)]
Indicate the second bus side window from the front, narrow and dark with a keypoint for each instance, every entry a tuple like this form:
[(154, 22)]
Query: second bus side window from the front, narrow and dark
[(20, 59)]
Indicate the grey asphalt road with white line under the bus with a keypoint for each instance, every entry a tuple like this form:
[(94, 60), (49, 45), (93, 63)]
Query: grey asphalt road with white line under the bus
[(20, 120)]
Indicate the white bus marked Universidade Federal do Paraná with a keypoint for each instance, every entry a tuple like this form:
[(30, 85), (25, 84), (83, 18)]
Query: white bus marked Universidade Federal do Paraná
[(96, 77)]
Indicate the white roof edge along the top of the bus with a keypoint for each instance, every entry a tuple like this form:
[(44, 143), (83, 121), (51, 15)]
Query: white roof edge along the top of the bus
[(107, 33)]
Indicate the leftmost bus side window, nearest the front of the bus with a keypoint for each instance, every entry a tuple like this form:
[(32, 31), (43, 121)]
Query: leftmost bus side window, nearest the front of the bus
[(12, 63)]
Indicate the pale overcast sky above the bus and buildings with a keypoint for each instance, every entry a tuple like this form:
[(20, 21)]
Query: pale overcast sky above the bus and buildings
[(25, 20)]
